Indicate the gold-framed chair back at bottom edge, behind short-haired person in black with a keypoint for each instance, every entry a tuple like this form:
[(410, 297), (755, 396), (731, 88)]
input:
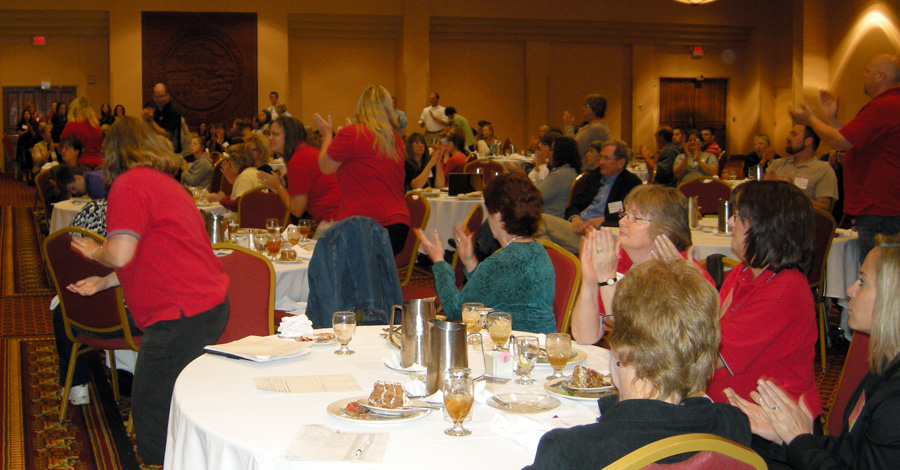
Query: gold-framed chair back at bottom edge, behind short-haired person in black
[(712, 453)]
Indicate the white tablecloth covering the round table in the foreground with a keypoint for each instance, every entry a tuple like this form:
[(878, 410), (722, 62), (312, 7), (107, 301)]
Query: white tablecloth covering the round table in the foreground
[(219, 420)]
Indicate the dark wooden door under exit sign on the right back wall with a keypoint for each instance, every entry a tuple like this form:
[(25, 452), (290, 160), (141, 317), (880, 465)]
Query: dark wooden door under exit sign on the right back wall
[(693, 104)]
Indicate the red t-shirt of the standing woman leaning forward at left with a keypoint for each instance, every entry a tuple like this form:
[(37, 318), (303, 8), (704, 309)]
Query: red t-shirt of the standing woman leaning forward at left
[(174, 269)]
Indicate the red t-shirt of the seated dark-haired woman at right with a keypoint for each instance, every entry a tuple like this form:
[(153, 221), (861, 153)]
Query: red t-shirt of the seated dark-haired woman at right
[(768, 331)]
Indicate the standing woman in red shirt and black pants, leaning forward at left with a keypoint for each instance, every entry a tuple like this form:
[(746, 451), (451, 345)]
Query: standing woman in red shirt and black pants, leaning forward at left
[(173, 283)]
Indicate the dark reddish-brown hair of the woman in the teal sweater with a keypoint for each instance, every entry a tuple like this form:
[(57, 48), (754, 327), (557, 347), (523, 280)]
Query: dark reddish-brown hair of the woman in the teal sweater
[(517, 200)]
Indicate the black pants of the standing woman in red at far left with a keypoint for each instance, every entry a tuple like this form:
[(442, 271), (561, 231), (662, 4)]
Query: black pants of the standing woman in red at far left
[(166, 349)]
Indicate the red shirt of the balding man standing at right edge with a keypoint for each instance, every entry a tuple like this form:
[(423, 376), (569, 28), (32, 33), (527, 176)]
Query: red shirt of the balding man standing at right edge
[(872, 166)]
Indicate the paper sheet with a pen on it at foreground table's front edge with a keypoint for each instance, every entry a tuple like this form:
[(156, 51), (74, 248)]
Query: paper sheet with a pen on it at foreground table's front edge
[(323, 444)]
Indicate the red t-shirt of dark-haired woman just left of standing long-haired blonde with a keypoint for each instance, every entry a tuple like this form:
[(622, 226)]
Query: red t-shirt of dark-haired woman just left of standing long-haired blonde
[(304, 177)]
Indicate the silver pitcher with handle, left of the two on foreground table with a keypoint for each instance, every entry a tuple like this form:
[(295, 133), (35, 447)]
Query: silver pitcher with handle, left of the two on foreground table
[(415, 332)]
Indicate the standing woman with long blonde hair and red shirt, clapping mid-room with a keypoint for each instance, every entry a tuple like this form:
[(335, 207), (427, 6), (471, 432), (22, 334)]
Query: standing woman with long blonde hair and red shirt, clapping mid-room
[(368, 157)]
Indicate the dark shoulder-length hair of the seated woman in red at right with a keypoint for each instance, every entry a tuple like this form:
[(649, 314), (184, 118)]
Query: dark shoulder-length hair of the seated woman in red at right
[(781, 225)]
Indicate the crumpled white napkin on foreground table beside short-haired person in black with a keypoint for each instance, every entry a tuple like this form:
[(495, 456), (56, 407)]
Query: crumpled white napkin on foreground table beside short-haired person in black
[(527, 431)]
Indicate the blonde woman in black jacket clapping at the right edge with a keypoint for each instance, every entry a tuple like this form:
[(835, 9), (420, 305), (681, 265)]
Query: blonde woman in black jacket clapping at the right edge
[(870, 437)]
